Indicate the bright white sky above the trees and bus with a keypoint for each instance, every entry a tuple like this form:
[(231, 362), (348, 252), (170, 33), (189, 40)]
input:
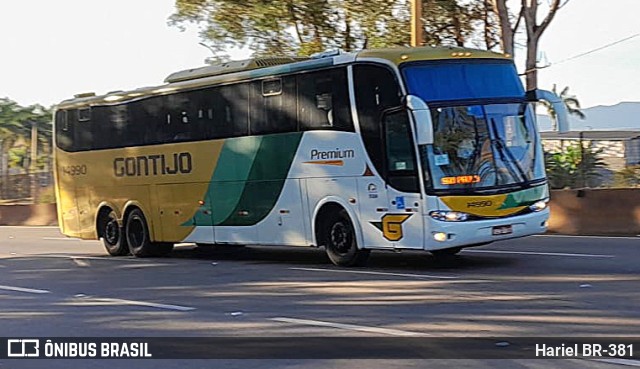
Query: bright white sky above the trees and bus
[(52, 50)]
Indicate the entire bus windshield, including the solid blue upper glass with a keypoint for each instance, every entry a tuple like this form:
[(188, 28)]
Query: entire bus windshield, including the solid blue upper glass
[(484, 133)]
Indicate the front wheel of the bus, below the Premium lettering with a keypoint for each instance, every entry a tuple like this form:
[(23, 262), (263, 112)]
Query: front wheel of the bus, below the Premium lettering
[(340, 241)]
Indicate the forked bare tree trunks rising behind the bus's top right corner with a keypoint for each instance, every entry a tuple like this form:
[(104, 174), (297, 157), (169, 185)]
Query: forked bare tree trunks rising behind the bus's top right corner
[(534, 30)]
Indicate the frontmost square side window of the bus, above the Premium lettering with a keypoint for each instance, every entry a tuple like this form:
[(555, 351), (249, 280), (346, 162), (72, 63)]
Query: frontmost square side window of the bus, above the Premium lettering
[(323, 101)]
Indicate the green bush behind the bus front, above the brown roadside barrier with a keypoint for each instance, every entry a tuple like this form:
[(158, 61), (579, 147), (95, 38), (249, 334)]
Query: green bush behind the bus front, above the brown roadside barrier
[(572, 168)]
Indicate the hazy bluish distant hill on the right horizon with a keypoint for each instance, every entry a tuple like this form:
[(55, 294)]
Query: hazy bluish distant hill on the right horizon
[(622, 116)]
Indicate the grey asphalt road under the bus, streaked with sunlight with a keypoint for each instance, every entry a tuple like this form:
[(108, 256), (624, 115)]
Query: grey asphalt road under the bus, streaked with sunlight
[(534, 287)]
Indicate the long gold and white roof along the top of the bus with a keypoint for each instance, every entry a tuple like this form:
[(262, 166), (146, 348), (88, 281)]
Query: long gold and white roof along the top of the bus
[(263, 67)]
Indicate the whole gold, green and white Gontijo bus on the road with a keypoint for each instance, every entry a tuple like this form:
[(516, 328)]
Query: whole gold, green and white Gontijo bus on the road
[(432, 148)]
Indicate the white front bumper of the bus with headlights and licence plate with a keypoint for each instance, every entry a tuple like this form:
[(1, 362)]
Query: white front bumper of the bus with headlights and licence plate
[(444, 235)]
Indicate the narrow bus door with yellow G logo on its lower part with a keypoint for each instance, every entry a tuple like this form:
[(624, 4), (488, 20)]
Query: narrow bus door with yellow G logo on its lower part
[(402, 224)]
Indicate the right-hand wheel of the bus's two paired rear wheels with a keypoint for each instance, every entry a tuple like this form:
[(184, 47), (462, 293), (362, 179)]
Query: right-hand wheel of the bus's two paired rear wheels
[(138, 237)]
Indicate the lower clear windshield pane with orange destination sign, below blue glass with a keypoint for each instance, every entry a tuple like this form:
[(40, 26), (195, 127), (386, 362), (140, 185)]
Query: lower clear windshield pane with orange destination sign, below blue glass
[(482, 146)]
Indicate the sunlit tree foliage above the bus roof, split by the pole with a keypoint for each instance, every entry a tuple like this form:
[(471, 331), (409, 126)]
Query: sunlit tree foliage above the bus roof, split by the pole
[(288, 27)]
